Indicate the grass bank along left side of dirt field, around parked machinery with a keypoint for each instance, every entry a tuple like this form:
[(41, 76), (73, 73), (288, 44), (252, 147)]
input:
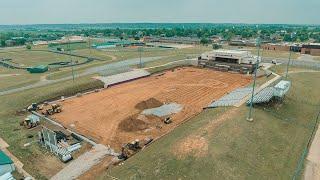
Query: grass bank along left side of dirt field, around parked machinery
[(37, 161)]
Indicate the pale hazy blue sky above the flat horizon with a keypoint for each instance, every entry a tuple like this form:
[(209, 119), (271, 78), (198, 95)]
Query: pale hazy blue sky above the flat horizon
[(180, 11)]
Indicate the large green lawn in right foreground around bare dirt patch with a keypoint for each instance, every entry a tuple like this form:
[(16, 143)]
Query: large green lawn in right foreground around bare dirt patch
[(268, 148)]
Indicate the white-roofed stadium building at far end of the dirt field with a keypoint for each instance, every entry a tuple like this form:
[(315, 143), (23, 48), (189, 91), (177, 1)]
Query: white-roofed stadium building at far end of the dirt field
[(229, 60)]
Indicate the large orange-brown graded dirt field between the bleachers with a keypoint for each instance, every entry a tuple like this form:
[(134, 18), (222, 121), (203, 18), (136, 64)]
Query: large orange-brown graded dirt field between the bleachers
[(113, 117)]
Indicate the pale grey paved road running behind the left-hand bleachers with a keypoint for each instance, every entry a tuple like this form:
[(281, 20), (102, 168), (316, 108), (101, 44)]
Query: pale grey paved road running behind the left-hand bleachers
[(93, 70)]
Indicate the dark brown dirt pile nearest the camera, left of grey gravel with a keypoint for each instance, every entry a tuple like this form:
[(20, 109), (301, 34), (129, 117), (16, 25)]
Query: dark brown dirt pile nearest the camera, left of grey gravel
[(132, 124)]
